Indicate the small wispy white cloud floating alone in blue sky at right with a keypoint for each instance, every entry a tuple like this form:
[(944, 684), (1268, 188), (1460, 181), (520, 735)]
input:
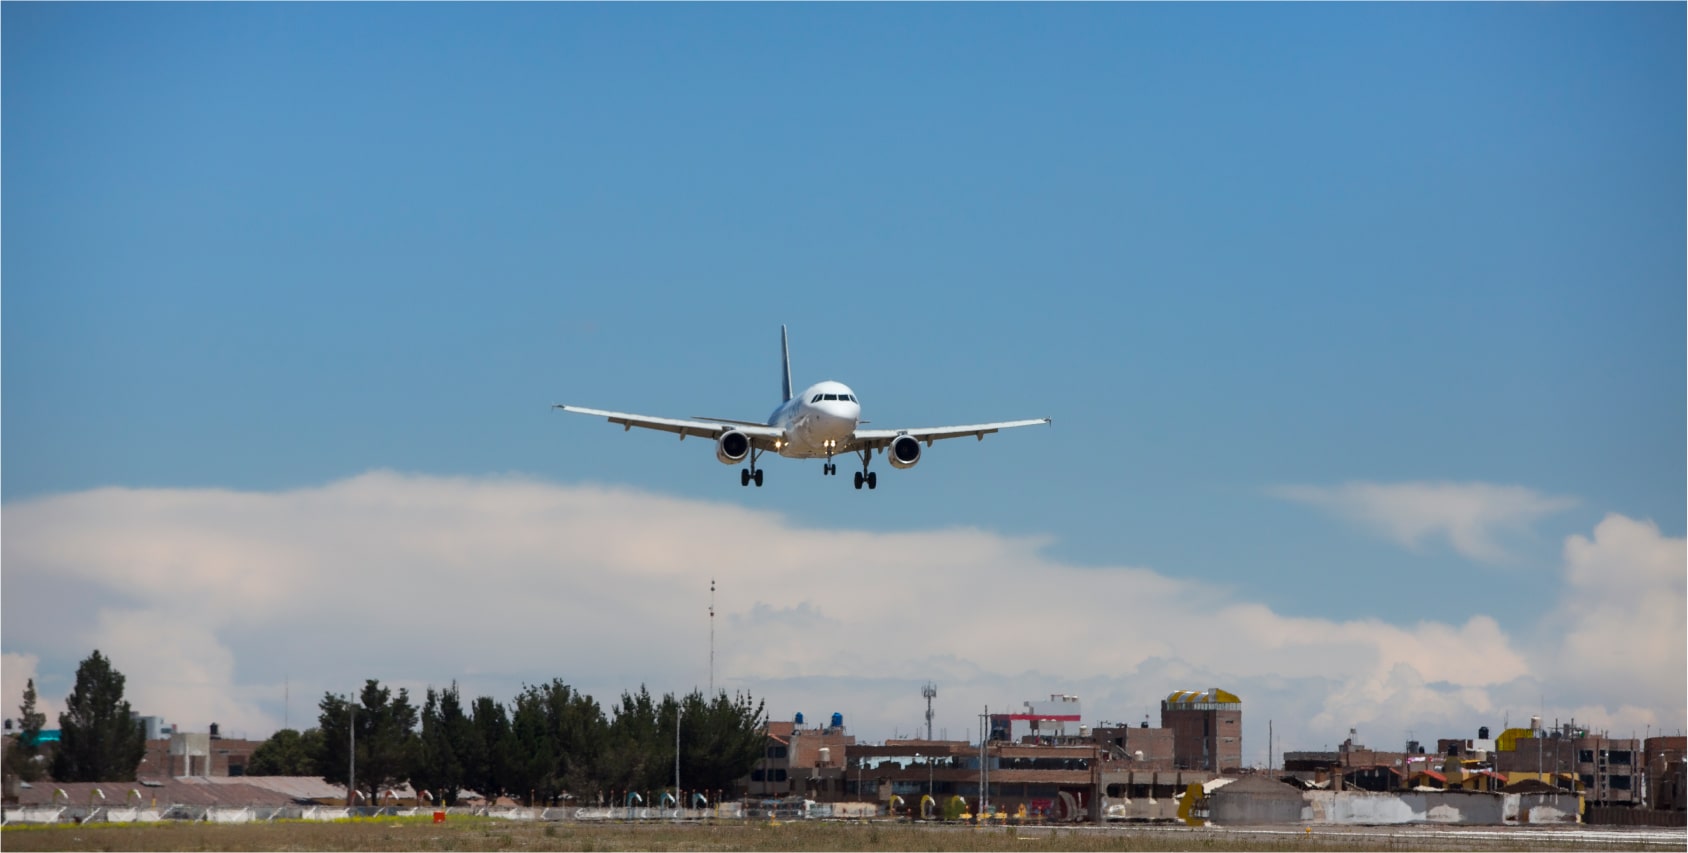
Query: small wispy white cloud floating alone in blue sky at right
[(1468, 514)]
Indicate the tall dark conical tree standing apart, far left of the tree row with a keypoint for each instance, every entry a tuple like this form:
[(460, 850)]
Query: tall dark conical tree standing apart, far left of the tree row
[(100, 741)]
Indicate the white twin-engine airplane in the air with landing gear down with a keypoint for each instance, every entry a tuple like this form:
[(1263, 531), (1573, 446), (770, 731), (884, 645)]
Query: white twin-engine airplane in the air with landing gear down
[(821, 423)]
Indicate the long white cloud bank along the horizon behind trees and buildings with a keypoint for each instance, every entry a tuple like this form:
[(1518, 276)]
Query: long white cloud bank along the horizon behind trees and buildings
[(217, 606)]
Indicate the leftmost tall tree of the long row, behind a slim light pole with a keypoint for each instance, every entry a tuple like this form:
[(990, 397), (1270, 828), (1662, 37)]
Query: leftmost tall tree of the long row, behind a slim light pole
[(387, 744)]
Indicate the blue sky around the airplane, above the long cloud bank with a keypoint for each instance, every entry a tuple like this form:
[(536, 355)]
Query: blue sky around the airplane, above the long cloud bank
[(1262, 264)]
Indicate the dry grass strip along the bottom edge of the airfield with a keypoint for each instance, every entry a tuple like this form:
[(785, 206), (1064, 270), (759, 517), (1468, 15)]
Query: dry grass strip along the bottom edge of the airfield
[(485, 834)]
